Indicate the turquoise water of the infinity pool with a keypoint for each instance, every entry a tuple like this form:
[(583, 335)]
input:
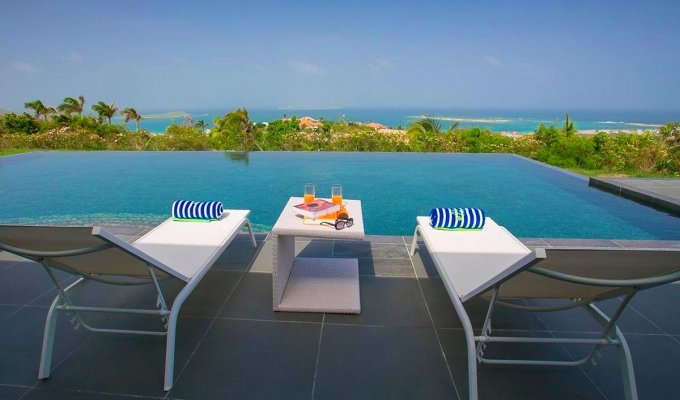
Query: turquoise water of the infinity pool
[(530, 199)]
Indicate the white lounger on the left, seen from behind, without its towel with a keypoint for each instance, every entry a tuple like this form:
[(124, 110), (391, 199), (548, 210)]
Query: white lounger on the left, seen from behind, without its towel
[(180, 250)]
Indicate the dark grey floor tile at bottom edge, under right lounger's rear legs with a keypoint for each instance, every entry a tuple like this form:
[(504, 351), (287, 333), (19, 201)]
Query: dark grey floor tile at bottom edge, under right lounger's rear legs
[(517, 382)]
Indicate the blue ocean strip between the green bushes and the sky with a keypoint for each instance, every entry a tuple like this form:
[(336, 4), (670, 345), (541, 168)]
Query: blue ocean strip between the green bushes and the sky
[(497, 120)]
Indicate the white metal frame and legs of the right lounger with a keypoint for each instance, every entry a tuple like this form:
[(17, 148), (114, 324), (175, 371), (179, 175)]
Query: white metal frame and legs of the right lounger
[(610, 335)]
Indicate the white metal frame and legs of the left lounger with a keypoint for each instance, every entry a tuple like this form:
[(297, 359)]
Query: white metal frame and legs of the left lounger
[(63, 302)]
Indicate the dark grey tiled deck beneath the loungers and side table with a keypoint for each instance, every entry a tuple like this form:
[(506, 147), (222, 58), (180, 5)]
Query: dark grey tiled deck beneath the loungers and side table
[(407, 342)]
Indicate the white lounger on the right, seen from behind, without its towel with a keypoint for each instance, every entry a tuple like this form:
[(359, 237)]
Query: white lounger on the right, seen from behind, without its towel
[(496, 265)]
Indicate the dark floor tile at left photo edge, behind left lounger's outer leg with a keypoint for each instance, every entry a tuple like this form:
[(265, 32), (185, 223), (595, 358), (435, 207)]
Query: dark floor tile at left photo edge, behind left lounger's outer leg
[(21, 338)]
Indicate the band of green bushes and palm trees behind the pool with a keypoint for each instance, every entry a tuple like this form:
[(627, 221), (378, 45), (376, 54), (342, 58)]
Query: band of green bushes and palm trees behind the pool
[(640, 154)]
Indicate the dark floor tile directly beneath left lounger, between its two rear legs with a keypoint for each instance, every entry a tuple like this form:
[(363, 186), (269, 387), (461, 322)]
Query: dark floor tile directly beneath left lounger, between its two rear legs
[(125, 364)]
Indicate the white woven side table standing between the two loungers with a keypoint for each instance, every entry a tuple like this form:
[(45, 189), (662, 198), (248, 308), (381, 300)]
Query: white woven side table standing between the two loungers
[(305, 284)]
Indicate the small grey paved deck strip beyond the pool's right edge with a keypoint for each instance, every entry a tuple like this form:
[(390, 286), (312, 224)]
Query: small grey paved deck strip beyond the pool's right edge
[(663, 194)]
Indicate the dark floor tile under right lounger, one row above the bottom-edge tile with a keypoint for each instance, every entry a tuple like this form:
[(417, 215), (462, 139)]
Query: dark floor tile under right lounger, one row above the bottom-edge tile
[(444, 315)]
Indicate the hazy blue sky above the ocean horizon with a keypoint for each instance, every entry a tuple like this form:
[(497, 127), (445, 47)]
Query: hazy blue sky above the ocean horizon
[(179, 55)]
